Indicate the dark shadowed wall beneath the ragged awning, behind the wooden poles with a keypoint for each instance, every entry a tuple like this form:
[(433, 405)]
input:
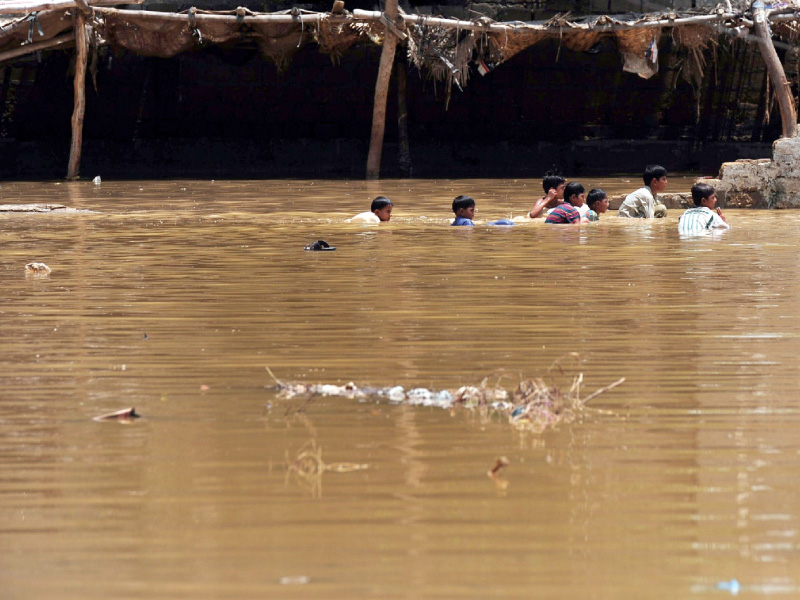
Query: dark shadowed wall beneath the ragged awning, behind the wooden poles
[(219, 113)]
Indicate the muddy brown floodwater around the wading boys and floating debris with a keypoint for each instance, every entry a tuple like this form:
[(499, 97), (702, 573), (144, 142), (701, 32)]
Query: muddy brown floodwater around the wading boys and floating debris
[(174, 297)]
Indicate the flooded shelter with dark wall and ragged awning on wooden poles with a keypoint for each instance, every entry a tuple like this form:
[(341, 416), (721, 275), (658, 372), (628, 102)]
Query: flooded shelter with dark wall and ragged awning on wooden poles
[(477, 89)]
